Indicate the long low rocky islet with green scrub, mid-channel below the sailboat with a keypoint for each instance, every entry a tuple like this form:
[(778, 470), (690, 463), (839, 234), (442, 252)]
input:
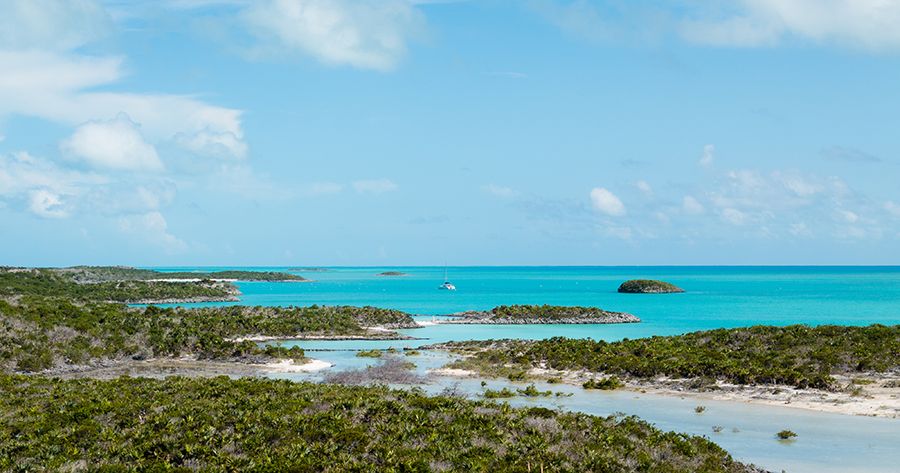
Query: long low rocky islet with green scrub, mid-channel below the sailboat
[(542, 314)]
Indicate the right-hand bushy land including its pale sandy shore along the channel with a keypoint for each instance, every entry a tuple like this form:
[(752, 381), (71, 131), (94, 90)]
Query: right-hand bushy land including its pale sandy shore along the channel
[(821, 368)]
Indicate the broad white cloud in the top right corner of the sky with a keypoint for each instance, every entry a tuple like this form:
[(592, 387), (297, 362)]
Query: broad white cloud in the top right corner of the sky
[(869, 24)]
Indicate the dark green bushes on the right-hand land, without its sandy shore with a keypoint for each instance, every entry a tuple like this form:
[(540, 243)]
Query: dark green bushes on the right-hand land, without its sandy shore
[(796, 355)]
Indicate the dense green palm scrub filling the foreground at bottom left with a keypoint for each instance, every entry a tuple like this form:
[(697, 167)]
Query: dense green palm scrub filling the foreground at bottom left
[(219, 424)]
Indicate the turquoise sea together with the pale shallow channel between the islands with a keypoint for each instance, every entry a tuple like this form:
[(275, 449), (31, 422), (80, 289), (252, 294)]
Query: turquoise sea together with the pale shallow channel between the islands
[(715, 298)]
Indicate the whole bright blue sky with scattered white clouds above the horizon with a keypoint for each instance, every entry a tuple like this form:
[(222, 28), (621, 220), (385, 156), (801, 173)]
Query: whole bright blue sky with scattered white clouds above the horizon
[(481, 132)]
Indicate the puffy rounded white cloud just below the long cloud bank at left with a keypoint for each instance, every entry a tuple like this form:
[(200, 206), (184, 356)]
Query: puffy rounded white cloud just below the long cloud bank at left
[(115, 144)]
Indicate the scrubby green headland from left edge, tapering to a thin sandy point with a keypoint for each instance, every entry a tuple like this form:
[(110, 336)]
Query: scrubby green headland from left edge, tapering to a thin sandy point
[(45, 334)]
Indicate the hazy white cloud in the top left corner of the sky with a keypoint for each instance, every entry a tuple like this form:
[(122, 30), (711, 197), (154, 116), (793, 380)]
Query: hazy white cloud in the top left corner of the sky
[(52, 24)]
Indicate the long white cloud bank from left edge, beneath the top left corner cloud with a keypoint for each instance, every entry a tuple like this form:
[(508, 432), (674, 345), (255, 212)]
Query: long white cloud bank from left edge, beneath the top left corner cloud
[(54, 86)]
